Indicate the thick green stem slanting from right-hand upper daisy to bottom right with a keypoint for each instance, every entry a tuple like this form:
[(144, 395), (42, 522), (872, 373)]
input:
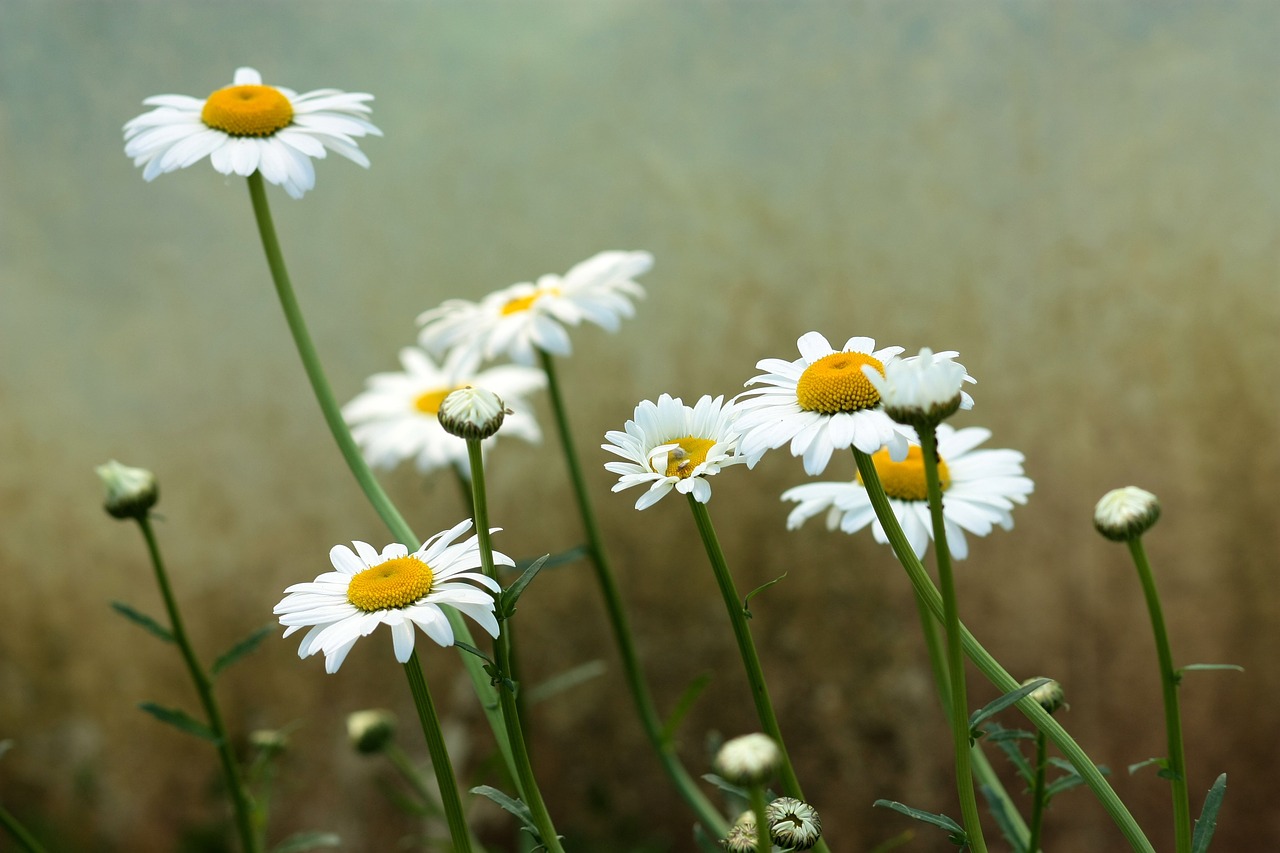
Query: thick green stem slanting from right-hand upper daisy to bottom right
[(991, 668)]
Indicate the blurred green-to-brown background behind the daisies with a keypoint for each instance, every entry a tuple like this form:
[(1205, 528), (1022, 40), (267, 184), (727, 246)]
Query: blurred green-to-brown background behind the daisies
[(1081, 198)]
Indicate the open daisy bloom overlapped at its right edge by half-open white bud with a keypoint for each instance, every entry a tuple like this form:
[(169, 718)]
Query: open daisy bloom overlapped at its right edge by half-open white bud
[(821, 403)]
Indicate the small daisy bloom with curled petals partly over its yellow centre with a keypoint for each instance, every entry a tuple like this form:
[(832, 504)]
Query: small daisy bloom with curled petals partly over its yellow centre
[(671, 445)]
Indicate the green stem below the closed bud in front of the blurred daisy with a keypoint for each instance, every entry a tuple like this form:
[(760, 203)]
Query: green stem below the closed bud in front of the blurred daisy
[(508, 688)]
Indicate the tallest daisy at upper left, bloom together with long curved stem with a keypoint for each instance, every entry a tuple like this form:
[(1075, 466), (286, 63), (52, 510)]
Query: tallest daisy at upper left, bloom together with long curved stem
[(254, 147)]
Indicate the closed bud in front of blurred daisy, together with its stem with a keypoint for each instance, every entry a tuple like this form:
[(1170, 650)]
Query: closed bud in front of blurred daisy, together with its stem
[(477, 414)]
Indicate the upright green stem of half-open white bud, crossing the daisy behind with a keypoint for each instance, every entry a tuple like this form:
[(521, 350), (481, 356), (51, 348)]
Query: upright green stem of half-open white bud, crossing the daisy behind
[(959, 706)]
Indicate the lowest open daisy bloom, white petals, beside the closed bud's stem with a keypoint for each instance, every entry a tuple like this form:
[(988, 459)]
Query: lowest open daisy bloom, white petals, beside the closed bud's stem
[(394, 589)]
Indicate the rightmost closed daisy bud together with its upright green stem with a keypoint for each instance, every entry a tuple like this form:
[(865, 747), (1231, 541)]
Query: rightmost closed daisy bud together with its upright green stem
[(1124, 516)]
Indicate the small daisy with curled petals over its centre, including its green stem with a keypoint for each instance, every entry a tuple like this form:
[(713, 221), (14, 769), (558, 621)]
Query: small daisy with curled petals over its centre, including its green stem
[(673, 446)]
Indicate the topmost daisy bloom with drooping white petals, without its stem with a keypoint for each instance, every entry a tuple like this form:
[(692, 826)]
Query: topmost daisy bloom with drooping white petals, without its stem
[(249, 127)]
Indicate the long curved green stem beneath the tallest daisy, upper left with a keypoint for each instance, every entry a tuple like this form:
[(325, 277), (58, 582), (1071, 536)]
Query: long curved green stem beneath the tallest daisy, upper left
[(369, 485)]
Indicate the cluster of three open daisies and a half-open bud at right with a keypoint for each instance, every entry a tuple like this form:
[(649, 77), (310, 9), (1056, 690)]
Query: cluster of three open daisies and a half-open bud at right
[(826, 402)]
